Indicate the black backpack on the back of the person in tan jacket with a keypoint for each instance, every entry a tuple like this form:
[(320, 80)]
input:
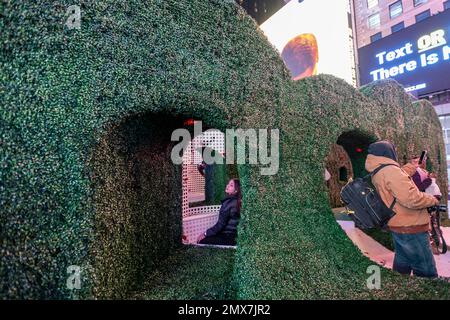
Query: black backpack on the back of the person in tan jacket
[(364, 204)]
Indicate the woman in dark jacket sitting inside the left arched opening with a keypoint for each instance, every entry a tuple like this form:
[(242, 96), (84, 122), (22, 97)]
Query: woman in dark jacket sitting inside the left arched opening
[(224, 232)]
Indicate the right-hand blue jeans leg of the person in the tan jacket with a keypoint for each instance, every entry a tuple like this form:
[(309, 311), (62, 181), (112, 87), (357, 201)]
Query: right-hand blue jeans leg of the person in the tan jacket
[(423, 264)]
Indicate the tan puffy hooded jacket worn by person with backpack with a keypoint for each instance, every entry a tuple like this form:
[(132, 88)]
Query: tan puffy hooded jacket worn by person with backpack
[(410, 208)]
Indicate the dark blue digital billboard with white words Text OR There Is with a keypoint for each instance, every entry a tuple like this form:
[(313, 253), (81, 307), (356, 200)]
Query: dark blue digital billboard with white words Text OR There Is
[(418, 57)]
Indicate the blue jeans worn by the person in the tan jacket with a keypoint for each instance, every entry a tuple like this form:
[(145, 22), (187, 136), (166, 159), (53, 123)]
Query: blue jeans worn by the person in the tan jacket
[(413, 253)]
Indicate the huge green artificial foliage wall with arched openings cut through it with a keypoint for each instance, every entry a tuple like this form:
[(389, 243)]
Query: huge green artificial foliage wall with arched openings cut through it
[(86, 179)]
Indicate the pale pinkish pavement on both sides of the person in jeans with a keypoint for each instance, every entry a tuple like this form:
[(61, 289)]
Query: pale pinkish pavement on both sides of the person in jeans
[(385, 257)]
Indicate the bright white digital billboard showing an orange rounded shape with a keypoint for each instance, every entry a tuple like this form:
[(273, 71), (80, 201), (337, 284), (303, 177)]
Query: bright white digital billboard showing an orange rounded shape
[(314, 36)]
